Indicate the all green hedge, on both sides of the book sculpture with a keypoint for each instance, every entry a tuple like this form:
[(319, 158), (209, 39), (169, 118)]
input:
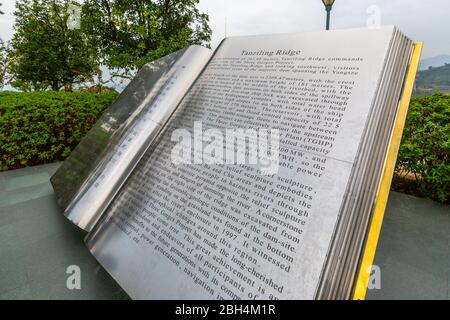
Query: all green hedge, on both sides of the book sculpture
[(42, 127)]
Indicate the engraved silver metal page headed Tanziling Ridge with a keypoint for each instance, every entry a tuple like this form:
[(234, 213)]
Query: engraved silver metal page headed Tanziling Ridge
[(213, 231)]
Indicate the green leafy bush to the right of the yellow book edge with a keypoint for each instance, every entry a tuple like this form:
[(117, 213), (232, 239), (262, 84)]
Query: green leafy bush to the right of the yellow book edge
[(423, 165)]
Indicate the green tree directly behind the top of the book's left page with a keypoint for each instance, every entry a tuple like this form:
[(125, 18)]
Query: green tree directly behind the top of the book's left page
[(131, 33)]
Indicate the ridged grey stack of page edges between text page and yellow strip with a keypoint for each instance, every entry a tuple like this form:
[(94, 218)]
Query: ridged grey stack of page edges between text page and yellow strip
[(362, 192)]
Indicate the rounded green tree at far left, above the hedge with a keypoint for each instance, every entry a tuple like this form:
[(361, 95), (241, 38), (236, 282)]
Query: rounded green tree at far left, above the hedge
[(45, 52)]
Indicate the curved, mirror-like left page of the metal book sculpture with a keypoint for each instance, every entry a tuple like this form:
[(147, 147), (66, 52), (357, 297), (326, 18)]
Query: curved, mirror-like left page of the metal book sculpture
[(93, 173)]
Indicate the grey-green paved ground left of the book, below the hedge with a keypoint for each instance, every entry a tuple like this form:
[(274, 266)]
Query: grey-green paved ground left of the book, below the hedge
[(38, 244)]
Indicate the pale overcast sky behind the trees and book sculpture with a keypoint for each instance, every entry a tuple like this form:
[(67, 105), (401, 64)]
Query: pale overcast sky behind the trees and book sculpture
[(425, 20)]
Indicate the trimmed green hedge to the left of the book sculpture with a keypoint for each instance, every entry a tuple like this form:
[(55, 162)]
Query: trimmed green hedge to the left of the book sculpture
[(43, 127)]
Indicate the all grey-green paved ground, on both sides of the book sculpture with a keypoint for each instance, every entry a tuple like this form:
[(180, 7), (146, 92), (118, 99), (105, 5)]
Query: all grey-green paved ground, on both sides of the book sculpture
[(37, 244)]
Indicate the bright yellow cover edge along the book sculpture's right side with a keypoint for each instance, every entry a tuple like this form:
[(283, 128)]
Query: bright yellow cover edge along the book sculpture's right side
[(391, 158)]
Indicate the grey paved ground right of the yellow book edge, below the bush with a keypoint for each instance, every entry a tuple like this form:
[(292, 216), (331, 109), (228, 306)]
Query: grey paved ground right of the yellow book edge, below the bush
[(414, 250)]
